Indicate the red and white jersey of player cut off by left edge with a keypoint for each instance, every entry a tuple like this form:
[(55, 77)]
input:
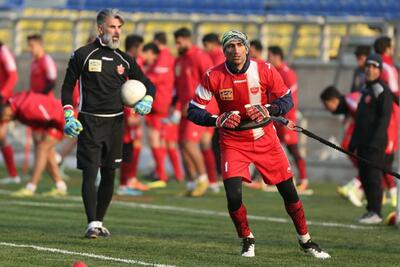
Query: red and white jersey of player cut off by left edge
[(8, 72)]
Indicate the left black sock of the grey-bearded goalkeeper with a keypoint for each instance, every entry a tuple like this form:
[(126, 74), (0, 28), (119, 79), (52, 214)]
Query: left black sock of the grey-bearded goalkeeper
[(89, 194)]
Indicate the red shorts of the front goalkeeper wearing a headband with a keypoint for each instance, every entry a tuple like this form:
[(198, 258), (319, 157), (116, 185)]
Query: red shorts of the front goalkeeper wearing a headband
[(267, 155)]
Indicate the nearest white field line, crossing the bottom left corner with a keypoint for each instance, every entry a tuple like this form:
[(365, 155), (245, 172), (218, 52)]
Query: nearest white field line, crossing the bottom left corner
[(89, 255)]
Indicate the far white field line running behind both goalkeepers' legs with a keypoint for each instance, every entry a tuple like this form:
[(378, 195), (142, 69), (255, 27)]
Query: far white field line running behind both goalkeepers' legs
[(198, 211)]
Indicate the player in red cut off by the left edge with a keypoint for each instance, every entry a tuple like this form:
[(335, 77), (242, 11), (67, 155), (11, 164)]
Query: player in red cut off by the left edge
[(8, 80)]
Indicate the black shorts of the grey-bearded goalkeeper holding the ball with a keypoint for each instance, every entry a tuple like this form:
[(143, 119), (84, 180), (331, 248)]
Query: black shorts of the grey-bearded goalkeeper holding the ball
[(100, 142)]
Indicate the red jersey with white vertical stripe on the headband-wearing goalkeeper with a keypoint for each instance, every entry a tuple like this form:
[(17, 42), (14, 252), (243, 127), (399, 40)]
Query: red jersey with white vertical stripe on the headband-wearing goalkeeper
[(258, 85)]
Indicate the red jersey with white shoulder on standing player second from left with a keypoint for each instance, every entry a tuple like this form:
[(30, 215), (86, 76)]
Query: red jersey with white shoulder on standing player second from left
[(43, 72)]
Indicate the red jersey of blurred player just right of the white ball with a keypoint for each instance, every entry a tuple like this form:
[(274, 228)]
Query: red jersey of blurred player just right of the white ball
[(161, 73)]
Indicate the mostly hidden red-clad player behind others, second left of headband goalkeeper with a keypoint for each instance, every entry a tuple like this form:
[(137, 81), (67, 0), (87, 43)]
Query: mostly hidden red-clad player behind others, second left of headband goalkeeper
[(169, 130)]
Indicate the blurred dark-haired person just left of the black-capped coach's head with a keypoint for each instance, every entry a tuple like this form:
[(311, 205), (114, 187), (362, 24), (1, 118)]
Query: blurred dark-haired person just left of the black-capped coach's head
[(361, 53)]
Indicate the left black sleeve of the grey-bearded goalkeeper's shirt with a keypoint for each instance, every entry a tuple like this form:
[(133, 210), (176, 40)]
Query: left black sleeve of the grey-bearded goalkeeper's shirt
[(74, 69)]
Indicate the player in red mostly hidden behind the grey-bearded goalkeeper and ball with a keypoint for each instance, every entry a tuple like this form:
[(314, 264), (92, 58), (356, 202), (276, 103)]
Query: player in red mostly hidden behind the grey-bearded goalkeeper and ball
[(129, 183)]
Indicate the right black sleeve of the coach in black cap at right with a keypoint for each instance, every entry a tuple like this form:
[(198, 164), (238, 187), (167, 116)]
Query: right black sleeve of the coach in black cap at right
[(384, 110)]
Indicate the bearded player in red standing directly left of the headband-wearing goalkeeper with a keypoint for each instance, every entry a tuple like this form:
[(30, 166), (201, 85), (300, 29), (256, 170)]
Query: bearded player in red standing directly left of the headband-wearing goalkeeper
[(190, 65)]
